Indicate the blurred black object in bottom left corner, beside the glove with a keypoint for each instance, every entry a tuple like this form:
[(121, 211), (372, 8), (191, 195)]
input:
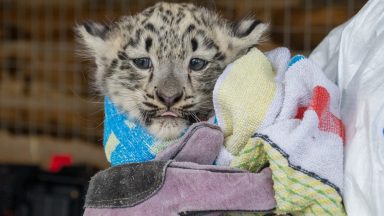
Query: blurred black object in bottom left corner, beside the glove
[(29, 191)]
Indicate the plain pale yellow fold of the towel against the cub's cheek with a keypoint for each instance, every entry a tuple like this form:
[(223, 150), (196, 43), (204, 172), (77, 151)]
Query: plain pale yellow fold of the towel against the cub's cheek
[(234, 108)]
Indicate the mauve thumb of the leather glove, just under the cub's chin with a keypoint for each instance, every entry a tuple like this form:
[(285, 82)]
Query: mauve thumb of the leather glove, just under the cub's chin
[(201, 144)]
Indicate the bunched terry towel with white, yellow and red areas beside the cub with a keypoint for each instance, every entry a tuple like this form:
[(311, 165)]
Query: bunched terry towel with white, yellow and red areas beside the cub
[(289, 121)]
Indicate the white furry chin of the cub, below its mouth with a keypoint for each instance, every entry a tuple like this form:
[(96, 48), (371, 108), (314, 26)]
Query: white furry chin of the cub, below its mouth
[(167, 128)]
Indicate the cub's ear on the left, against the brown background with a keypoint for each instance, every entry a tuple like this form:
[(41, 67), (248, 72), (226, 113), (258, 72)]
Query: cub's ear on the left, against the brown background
[(93, 36)]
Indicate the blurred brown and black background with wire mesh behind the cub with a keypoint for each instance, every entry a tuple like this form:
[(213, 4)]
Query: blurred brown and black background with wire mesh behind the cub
[(51, 118)]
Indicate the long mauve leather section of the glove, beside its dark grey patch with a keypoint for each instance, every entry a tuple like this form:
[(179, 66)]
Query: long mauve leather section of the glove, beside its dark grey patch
[(209, 189)]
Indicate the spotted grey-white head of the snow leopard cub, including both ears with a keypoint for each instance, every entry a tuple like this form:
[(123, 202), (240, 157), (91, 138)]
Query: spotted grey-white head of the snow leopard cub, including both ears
[(160, 66)]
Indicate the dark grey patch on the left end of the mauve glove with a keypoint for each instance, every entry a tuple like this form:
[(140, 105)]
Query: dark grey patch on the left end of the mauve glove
[(125, 185)]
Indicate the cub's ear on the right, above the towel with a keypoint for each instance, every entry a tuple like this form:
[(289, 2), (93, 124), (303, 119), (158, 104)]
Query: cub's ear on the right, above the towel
[(247, 33)]
